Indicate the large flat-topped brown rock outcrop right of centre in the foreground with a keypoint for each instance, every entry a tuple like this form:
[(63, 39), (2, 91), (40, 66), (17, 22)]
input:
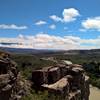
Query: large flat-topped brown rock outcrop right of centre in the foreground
[(67, 81)]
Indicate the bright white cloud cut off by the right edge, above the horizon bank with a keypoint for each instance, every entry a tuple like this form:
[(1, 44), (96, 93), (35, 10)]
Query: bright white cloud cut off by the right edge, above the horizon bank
[(91, 23)]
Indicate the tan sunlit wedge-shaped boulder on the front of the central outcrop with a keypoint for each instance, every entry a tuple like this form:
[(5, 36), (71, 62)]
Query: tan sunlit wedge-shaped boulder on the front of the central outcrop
[(60, 87)]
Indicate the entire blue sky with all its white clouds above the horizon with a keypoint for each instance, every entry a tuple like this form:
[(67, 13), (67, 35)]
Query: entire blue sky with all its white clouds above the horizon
[(50, 24)]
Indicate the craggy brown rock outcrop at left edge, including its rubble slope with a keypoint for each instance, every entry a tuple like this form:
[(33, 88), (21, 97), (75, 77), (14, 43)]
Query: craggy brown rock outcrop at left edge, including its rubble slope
[(12, 87)]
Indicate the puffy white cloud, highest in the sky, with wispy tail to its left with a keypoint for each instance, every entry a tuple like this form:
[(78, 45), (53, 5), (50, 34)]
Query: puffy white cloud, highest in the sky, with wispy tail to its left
[(68, 15)]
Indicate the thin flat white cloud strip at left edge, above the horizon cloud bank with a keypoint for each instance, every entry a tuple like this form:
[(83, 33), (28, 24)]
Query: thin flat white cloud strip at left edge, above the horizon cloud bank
[(12, 26)]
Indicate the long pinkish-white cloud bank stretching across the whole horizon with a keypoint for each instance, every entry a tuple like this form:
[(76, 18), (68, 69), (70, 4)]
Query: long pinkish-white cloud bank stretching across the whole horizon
[(46, 41)]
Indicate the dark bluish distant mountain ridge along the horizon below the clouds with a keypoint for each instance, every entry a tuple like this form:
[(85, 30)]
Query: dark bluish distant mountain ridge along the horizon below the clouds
[(37, 51)]
